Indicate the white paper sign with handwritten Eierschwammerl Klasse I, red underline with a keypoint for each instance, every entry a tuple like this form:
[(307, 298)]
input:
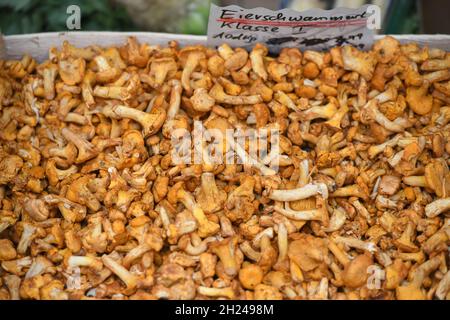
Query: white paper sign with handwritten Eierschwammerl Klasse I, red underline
[(314, 29)]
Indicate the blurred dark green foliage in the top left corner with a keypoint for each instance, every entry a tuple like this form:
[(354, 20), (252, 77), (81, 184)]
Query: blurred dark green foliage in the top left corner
[(28, 16)]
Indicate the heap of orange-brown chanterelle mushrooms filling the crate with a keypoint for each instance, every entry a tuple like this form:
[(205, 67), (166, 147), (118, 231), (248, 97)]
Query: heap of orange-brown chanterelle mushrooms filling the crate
[(93, 207)]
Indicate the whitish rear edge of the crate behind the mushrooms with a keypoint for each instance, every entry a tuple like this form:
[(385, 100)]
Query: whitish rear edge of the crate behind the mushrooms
[(37, 44)]
